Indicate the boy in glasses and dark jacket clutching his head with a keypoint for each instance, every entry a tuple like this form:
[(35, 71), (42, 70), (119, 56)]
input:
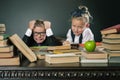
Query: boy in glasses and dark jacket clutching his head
[(39, 33)]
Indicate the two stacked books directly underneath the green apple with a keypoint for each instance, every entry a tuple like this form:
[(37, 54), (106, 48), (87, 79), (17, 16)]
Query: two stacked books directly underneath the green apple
[(94, 57)]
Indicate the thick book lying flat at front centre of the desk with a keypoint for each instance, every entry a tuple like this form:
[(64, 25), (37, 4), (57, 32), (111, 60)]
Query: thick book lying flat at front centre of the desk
[(61, 58)]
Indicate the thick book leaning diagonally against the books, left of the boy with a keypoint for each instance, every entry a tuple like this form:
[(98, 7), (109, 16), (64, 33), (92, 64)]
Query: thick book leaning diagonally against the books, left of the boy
[(27, 52)]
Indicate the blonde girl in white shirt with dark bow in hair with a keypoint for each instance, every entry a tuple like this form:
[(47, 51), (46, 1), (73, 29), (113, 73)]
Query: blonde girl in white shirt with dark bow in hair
[(80, 31)]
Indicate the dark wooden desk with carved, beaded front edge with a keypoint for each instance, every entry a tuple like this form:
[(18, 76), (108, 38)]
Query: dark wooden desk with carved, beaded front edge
[(72, 71)]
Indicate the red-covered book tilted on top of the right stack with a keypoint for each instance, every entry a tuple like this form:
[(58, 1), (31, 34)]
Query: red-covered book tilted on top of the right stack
[(112, 29)]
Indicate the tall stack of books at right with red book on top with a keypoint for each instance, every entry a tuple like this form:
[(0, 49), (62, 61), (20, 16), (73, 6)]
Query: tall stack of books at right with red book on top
[(111, 42)]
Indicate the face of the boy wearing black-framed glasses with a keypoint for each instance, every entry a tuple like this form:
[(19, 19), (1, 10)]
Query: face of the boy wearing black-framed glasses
[(39, 34)]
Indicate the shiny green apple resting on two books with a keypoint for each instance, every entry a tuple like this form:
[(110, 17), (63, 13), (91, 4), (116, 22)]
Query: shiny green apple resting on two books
[(90, 45)]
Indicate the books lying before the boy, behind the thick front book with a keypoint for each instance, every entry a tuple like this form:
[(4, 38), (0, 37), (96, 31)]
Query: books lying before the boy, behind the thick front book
[(41, 51)]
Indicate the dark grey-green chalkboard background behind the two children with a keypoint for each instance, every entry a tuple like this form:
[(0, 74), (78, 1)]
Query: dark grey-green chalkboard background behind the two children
[(17, 13)]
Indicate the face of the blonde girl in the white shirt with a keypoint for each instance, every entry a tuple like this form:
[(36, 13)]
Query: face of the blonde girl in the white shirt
[(78, 26)]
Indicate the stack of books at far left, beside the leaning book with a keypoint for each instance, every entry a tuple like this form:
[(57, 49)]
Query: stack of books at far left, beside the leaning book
[(7, 56)]
